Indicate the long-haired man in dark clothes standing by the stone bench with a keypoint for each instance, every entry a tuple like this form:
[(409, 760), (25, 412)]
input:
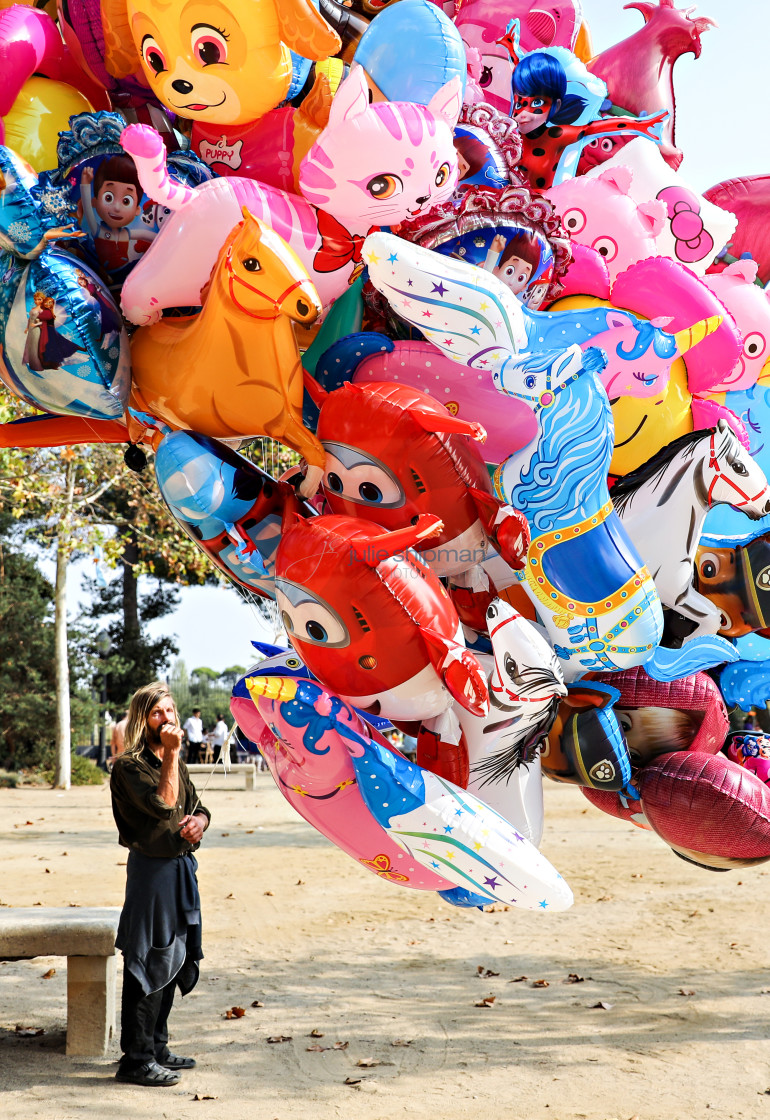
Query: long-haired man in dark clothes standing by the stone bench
[(161, 822)]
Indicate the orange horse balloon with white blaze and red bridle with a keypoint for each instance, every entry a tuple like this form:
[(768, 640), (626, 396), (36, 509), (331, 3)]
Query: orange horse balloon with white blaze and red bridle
[(234, 370)]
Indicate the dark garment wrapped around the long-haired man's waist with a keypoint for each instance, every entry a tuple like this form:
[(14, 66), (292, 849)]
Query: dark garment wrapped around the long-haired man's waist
[(159, 931)]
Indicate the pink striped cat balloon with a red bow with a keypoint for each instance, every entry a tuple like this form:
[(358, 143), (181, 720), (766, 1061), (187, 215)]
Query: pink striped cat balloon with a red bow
[(373, 165)]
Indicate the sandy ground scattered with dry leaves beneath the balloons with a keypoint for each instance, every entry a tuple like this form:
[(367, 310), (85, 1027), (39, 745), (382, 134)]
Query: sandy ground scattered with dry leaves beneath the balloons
[(677, 956)]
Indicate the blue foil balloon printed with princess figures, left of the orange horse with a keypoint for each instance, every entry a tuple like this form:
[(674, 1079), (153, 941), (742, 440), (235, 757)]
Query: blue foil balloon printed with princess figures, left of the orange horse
[(64, 348)]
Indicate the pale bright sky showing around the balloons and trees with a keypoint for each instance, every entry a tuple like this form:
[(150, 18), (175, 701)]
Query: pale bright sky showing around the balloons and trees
[(720, 128)]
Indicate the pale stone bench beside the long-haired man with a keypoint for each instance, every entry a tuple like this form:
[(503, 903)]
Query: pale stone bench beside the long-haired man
[(87, 937)]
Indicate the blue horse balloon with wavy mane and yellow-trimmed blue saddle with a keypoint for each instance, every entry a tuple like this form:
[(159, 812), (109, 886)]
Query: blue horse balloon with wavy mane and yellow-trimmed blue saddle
[(595, 595)]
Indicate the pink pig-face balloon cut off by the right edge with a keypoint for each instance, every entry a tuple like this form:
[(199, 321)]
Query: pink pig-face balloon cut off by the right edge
[(750, 307)]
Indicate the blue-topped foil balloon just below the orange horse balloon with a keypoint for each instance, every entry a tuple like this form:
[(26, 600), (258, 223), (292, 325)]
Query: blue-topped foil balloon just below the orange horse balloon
[(231, 509)]
